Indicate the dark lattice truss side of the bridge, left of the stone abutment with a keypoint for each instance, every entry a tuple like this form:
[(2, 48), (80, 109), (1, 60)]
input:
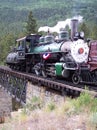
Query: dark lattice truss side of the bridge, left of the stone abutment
[(14, 85)]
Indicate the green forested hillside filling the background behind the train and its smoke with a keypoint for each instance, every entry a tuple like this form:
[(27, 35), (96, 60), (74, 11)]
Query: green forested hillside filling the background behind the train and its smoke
[(14, 15)]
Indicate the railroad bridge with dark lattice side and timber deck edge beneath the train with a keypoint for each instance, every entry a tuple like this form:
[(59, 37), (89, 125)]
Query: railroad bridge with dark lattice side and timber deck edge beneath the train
[(16, 84)]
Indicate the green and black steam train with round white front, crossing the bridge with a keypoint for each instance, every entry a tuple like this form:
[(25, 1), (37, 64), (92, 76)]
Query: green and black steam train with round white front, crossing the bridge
[(70, 58)]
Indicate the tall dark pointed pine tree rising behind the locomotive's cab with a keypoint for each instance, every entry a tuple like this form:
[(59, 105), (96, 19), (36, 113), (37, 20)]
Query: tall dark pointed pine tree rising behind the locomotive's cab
[(31, 24)]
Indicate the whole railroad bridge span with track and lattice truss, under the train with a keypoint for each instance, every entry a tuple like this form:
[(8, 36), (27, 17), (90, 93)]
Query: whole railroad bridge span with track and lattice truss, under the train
[(7, 76)]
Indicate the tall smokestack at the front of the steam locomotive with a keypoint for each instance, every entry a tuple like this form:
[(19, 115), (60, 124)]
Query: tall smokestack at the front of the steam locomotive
[(74, 27)]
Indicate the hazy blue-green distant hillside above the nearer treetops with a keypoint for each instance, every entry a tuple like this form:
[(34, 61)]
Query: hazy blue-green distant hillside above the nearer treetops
[(14, 12)]
